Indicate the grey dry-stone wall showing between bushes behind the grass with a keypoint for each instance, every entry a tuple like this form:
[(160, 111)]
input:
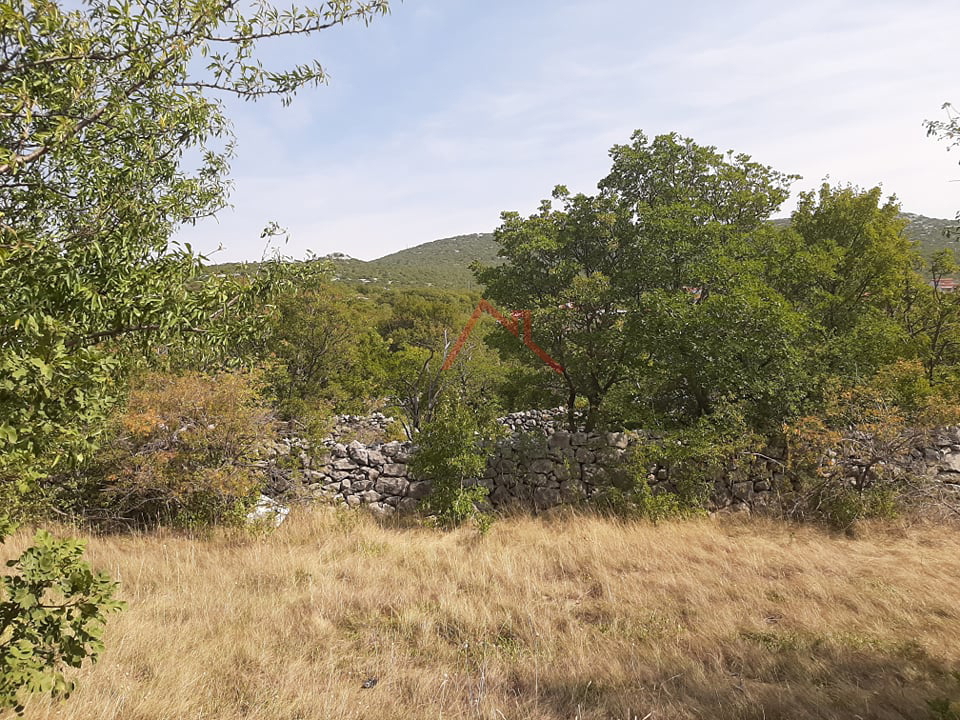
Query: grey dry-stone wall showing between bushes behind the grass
[(538, 466)]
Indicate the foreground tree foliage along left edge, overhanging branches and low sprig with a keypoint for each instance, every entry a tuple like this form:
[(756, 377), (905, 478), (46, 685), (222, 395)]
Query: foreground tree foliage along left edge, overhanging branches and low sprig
[(105, 106)]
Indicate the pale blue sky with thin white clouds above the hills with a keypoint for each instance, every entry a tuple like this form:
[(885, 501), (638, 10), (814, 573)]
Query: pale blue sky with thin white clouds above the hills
[(445, 113)]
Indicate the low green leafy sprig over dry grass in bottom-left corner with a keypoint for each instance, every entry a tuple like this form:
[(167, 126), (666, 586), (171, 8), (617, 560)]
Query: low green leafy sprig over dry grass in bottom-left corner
[(52, 612)]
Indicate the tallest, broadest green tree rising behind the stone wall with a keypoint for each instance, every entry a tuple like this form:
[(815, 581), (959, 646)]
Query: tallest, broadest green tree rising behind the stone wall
[(653, 289)]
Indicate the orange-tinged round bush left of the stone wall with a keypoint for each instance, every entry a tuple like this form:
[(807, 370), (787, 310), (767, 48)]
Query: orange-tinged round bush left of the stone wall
[(184, 452)]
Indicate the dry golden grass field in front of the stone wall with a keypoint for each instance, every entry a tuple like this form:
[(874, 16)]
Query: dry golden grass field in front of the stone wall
[(568, 618)]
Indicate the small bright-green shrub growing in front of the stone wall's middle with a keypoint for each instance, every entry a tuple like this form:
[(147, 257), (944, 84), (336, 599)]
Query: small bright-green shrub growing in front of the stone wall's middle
[(451, 454)]
